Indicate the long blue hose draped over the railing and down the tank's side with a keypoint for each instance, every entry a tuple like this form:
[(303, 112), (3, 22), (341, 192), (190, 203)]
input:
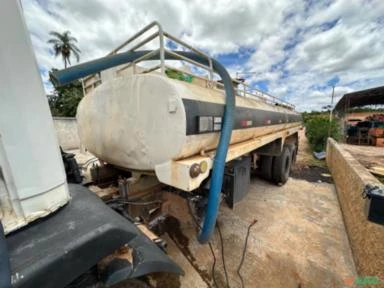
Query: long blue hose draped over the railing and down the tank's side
[(65, 76)]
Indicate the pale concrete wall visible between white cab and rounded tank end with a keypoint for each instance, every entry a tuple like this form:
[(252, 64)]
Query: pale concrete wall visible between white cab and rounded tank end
[(66, 130)]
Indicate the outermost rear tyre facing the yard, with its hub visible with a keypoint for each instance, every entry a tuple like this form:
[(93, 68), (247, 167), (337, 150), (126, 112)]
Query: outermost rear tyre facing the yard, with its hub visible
[(282, 166)]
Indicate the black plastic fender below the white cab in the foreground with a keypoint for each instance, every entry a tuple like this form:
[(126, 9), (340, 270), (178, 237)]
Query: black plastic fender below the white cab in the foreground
[(56, 250)]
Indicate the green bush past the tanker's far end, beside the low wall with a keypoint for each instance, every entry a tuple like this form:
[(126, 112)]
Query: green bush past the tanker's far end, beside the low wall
[(317, 132)]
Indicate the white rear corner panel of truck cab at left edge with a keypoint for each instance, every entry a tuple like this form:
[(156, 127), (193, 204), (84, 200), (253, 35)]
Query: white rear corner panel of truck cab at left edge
[(32, 177)]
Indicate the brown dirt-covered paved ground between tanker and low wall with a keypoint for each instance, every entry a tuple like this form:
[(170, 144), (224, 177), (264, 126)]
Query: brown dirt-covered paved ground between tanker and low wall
[(299, 239)]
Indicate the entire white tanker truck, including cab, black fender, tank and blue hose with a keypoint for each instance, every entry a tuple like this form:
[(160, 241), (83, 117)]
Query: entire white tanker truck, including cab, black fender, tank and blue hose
[(150, 132)]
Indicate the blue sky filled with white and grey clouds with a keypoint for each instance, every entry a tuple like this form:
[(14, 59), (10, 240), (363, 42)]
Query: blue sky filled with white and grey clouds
[(295, 50)]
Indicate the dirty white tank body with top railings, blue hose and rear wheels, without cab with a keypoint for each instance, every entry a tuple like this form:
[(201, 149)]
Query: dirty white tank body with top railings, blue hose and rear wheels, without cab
[(189, 131)]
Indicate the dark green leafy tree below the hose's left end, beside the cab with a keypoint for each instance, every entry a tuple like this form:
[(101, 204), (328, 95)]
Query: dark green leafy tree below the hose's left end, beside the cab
[(63, 102)]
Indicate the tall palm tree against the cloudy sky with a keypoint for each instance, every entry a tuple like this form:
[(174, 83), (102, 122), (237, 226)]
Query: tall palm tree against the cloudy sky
[(64, 45)]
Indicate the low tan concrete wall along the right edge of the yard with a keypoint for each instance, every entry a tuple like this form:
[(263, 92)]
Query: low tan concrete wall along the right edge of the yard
[(366, 238)]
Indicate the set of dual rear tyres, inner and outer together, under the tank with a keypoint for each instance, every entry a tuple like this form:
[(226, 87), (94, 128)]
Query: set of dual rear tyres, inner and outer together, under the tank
[(277, 168)]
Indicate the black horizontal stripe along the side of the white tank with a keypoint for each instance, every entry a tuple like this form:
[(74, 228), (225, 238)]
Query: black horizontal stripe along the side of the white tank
[(244, 117)]
